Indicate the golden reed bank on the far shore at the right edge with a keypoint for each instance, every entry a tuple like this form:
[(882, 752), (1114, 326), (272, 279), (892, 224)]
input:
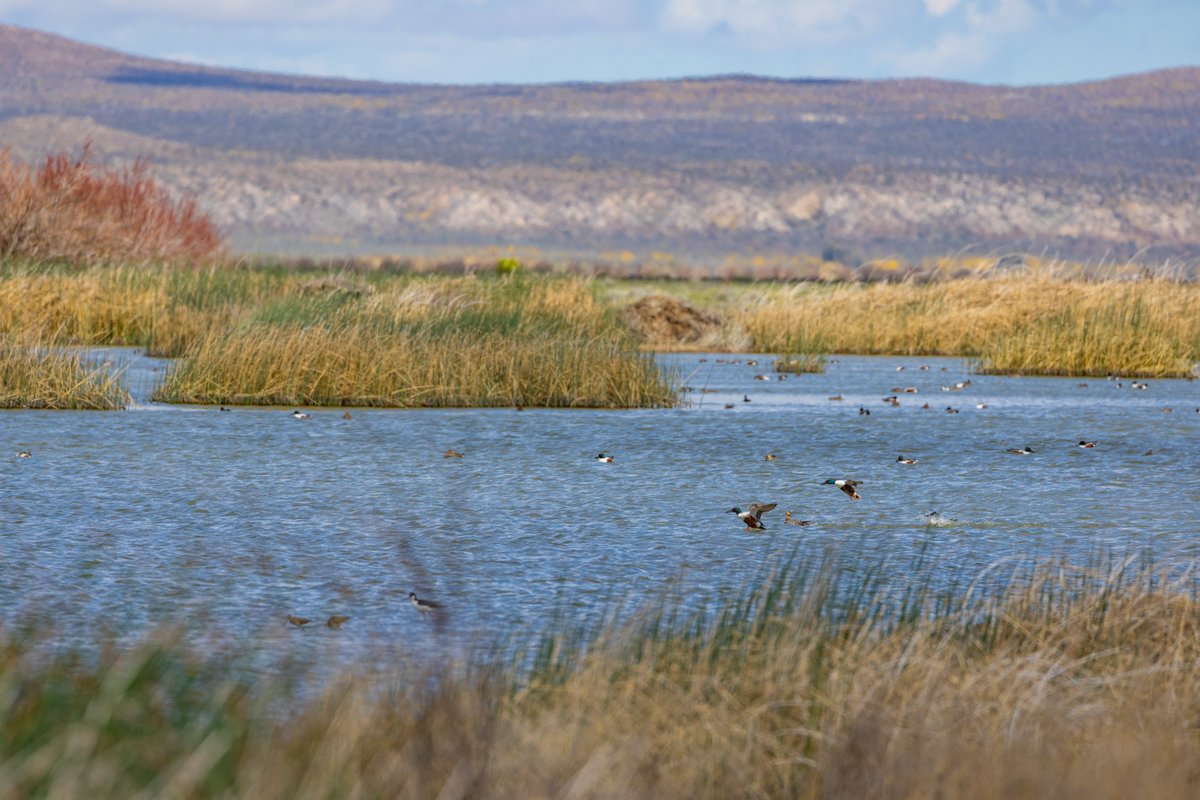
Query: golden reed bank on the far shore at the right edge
[(1017, 324)]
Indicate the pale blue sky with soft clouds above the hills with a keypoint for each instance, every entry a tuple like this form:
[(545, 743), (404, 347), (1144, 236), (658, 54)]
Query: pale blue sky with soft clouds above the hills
[(519, 41)]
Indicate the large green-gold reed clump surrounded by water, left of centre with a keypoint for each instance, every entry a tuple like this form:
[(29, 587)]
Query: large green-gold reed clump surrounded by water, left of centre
[(508, 341)]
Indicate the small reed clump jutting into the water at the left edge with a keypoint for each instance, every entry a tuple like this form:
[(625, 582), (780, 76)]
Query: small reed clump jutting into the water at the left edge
[(37, 376)]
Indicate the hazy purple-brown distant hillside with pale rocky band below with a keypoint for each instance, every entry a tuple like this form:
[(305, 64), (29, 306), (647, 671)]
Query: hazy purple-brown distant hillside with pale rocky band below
[(695, 167)]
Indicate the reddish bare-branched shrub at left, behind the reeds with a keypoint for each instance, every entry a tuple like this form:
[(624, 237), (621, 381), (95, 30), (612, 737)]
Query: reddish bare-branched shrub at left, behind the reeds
[(75, 209)]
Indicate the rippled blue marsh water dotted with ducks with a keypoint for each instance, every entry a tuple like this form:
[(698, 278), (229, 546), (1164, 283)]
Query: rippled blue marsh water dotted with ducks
[(226, 522)]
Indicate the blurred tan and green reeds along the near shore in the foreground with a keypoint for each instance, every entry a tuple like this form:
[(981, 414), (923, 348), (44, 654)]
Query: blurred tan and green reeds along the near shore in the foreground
[(1066, 685)]
